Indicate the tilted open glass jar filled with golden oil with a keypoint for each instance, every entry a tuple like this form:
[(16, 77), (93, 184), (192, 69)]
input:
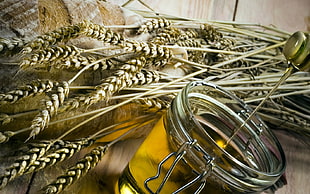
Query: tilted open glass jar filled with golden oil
[(191, 150)]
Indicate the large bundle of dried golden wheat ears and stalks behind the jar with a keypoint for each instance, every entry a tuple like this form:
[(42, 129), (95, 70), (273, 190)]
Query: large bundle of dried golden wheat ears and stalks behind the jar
[(61, 96)]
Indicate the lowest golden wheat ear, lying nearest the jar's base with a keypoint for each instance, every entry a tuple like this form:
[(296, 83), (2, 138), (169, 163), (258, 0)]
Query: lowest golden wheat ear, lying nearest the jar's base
[(77, 171)]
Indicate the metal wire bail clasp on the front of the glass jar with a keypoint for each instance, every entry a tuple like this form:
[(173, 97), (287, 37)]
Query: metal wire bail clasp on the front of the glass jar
[(178, 156)]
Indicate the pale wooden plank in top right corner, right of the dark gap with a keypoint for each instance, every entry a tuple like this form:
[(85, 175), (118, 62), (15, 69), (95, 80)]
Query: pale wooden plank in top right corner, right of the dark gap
[(288, 15)]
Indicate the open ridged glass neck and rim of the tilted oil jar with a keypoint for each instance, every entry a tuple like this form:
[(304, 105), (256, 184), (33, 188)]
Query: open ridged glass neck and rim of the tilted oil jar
[(208, 115)]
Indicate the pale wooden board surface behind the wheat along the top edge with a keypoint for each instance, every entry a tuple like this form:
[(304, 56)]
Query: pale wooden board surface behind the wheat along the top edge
[(285, 14)]
